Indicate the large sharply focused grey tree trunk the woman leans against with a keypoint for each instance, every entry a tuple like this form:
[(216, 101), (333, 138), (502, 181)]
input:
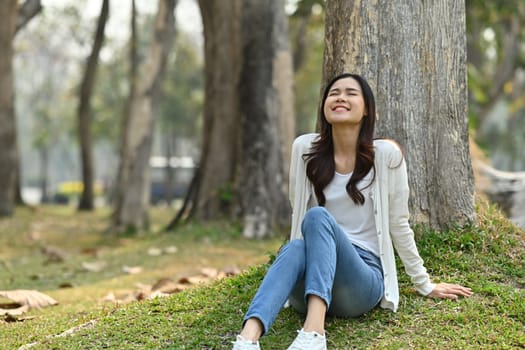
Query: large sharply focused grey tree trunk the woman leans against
[(414, 56)]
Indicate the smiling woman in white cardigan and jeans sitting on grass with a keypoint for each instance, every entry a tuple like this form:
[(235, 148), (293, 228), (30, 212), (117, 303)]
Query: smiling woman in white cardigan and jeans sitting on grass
[(350, 208)]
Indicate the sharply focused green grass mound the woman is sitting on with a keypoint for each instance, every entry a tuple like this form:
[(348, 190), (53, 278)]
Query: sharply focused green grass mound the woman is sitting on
[(488, 257)]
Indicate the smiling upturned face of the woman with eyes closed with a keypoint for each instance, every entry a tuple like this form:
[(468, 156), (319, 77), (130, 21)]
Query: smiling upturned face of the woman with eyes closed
[(344, 104)]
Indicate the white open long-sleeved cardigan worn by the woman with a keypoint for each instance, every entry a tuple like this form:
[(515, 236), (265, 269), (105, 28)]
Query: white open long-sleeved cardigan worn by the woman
[(390, 201)]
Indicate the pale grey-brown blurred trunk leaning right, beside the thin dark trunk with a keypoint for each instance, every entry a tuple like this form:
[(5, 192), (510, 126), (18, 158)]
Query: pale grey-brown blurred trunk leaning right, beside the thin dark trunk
[(133, 185)]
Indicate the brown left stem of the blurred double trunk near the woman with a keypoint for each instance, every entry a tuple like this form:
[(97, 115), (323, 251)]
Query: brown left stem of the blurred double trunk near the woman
[(221, 116)]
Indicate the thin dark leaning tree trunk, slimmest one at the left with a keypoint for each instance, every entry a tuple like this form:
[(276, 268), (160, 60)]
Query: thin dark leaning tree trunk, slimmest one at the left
[(84, 113)]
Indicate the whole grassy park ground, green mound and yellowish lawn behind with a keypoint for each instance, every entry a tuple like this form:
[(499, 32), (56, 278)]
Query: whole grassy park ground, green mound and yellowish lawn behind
[(489, 258)]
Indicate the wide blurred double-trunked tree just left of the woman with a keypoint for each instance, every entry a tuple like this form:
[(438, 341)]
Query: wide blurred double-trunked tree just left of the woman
[(248, 116)]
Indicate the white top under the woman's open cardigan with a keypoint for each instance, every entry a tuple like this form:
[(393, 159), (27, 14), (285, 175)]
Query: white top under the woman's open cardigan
[(356, 220)]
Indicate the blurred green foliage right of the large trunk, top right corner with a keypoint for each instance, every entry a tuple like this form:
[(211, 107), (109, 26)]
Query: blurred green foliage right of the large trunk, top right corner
[(496, 61)]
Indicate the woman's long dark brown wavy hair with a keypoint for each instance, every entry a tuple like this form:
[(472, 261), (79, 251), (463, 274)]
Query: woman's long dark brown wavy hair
[(320, 167)]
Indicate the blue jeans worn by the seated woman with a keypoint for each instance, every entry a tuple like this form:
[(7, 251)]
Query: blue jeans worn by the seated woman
[(326, 264)]
